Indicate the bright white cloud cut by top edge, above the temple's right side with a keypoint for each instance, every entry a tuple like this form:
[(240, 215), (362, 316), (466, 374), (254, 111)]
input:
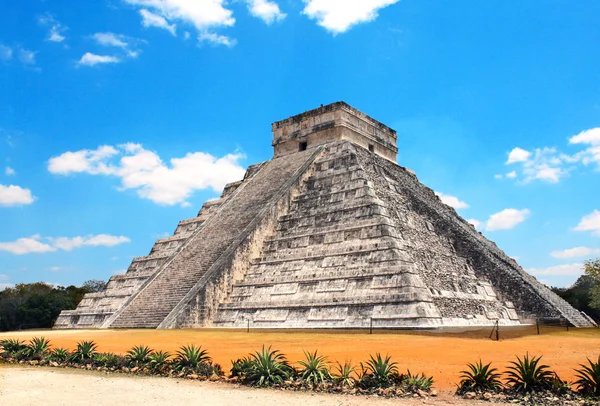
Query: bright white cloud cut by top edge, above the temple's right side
[(338, 16)]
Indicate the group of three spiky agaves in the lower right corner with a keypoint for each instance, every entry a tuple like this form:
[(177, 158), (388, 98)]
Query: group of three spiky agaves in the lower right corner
[(528, 374)]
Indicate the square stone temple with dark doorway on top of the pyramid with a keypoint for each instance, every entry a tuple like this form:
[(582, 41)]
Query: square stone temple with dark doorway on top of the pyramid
[(333, 122)]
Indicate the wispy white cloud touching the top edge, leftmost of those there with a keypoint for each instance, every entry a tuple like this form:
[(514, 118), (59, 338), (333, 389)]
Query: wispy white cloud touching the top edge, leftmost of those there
[(205, 16)]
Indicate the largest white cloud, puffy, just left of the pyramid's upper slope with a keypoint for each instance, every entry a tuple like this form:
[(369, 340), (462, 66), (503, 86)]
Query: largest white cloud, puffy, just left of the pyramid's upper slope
[(145, 172)]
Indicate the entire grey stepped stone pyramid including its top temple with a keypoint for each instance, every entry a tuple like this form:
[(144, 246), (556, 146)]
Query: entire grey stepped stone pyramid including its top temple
[(330, 233)]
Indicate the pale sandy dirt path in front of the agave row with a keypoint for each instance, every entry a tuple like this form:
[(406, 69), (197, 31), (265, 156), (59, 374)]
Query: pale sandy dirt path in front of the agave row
[(53, 386)]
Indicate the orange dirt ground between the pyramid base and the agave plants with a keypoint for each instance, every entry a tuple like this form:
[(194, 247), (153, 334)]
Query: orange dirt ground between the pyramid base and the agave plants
[(442, 355)]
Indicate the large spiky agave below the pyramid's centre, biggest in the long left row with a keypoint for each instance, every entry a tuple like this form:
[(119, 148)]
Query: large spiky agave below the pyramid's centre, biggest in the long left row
[(269, 367)]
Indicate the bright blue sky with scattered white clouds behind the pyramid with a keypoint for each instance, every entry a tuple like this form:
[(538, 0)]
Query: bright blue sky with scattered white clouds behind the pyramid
[(118, 118)]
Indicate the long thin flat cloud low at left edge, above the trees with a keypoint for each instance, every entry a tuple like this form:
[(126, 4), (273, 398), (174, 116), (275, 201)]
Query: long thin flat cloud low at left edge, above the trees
[(39, 244)]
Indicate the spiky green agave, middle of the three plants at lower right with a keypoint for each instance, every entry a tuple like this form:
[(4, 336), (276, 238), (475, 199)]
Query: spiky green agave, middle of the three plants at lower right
[(528, 374)]
